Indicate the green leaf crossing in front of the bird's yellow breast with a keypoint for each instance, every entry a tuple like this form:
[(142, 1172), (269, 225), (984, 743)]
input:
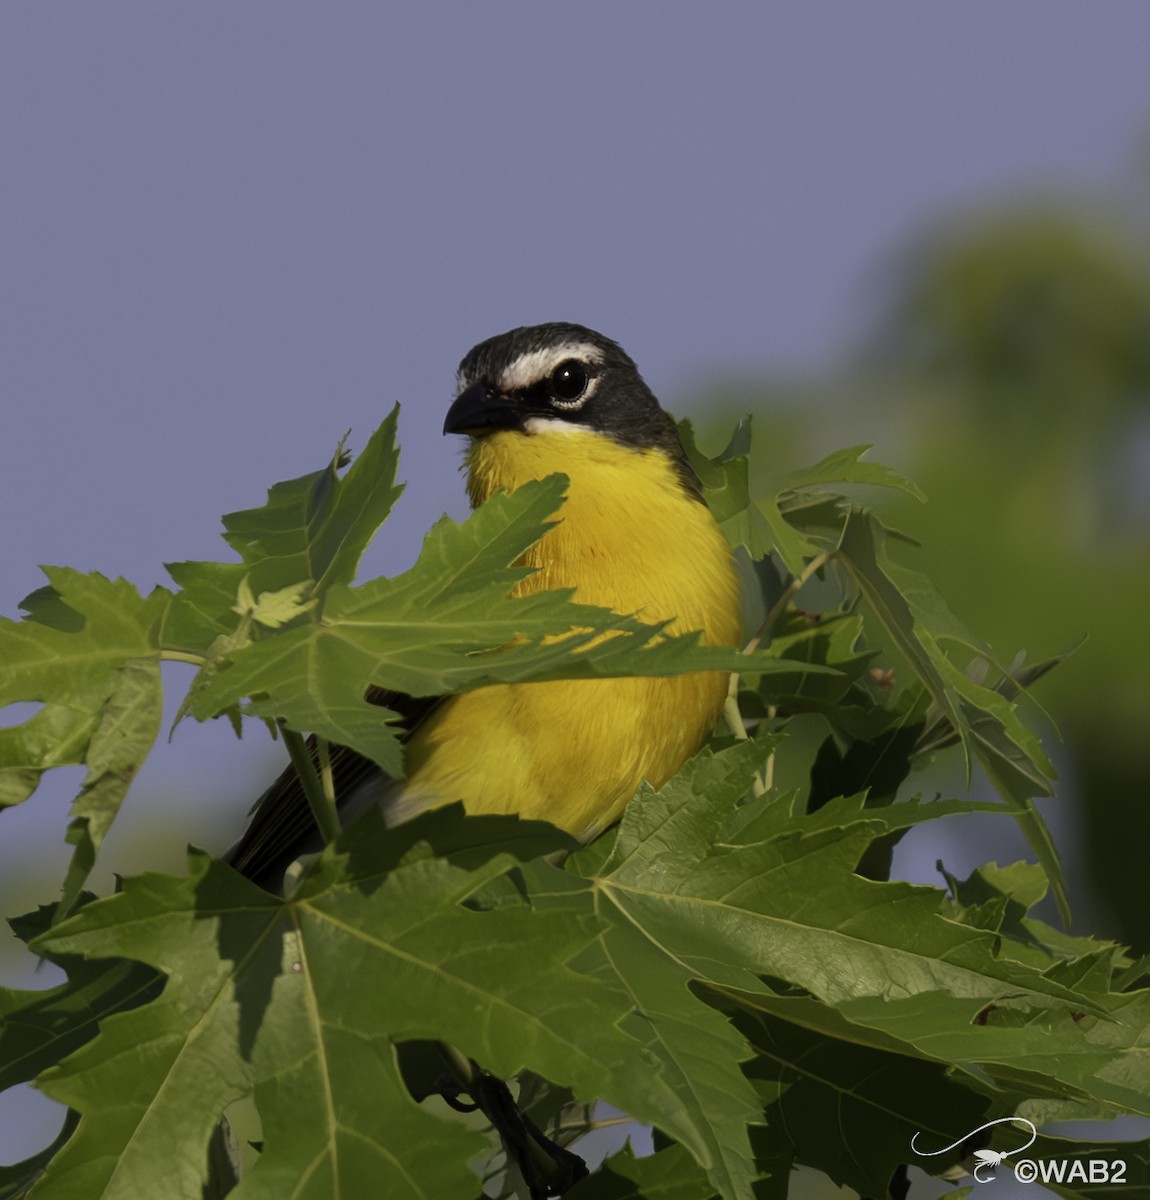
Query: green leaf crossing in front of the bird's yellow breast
[(447, 625)]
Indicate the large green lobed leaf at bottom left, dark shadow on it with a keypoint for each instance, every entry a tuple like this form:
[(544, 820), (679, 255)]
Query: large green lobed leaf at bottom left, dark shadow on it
[(260, 991)]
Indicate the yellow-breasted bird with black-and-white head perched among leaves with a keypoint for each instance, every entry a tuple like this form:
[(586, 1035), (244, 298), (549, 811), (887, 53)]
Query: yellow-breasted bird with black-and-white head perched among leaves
[(634, 535)]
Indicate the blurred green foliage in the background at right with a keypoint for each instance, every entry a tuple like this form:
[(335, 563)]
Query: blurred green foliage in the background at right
[(1010, 376)]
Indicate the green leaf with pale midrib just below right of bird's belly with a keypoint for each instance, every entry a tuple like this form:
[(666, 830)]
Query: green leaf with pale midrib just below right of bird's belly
[(790, 905)]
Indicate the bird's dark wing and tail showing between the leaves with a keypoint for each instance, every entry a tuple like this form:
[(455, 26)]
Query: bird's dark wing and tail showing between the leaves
[(283, 826)]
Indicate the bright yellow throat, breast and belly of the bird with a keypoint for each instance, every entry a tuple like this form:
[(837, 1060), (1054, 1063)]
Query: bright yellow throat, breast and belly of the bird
[(573, 753)]
